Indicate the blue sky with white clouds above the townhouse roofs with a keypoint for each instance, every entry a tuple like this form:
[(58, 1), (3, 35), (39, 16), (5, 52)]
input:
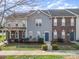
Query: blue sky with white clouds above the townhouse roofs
[(44, 4)]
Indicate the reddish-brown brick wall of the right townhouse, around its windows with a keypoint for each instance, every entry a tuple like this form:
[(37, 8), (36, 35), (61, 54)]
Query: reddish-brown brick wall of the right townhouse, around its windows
[(68, 28)]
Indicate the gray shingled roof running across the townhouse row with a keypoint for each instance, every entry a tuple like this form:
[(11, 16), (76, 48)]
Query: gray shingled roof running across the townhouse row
[(54, 12)]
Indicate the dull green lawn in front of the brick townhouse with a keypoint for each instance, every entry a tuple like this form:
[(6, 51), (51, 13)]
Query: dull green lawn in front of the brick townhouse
[(68, 46)]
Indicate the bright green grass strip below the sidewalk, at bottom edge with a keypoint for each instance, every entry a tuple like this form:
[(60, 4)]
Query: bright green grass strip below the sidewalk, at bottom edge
[(36, 57)]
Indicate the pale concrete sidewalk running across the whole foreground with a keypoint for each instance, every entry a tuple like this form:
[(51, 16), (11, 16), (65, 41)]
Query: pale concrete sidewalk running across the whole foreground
[(40, 52)]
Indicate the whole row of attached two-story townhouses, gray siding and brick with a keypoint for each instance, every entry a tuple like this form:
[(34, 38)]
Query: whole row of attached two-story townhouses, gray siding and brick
[(48, 24)]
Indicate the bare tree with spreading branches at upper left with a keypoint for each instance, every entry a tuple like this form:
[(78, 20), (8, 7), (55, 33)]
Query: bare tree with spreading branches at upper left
[(17, 3)]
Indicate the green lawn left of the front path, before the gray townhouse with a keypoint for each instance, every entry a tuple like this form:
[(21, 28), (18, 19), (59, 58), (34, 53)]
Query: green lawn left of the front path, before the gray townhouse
[(22, 47)]
